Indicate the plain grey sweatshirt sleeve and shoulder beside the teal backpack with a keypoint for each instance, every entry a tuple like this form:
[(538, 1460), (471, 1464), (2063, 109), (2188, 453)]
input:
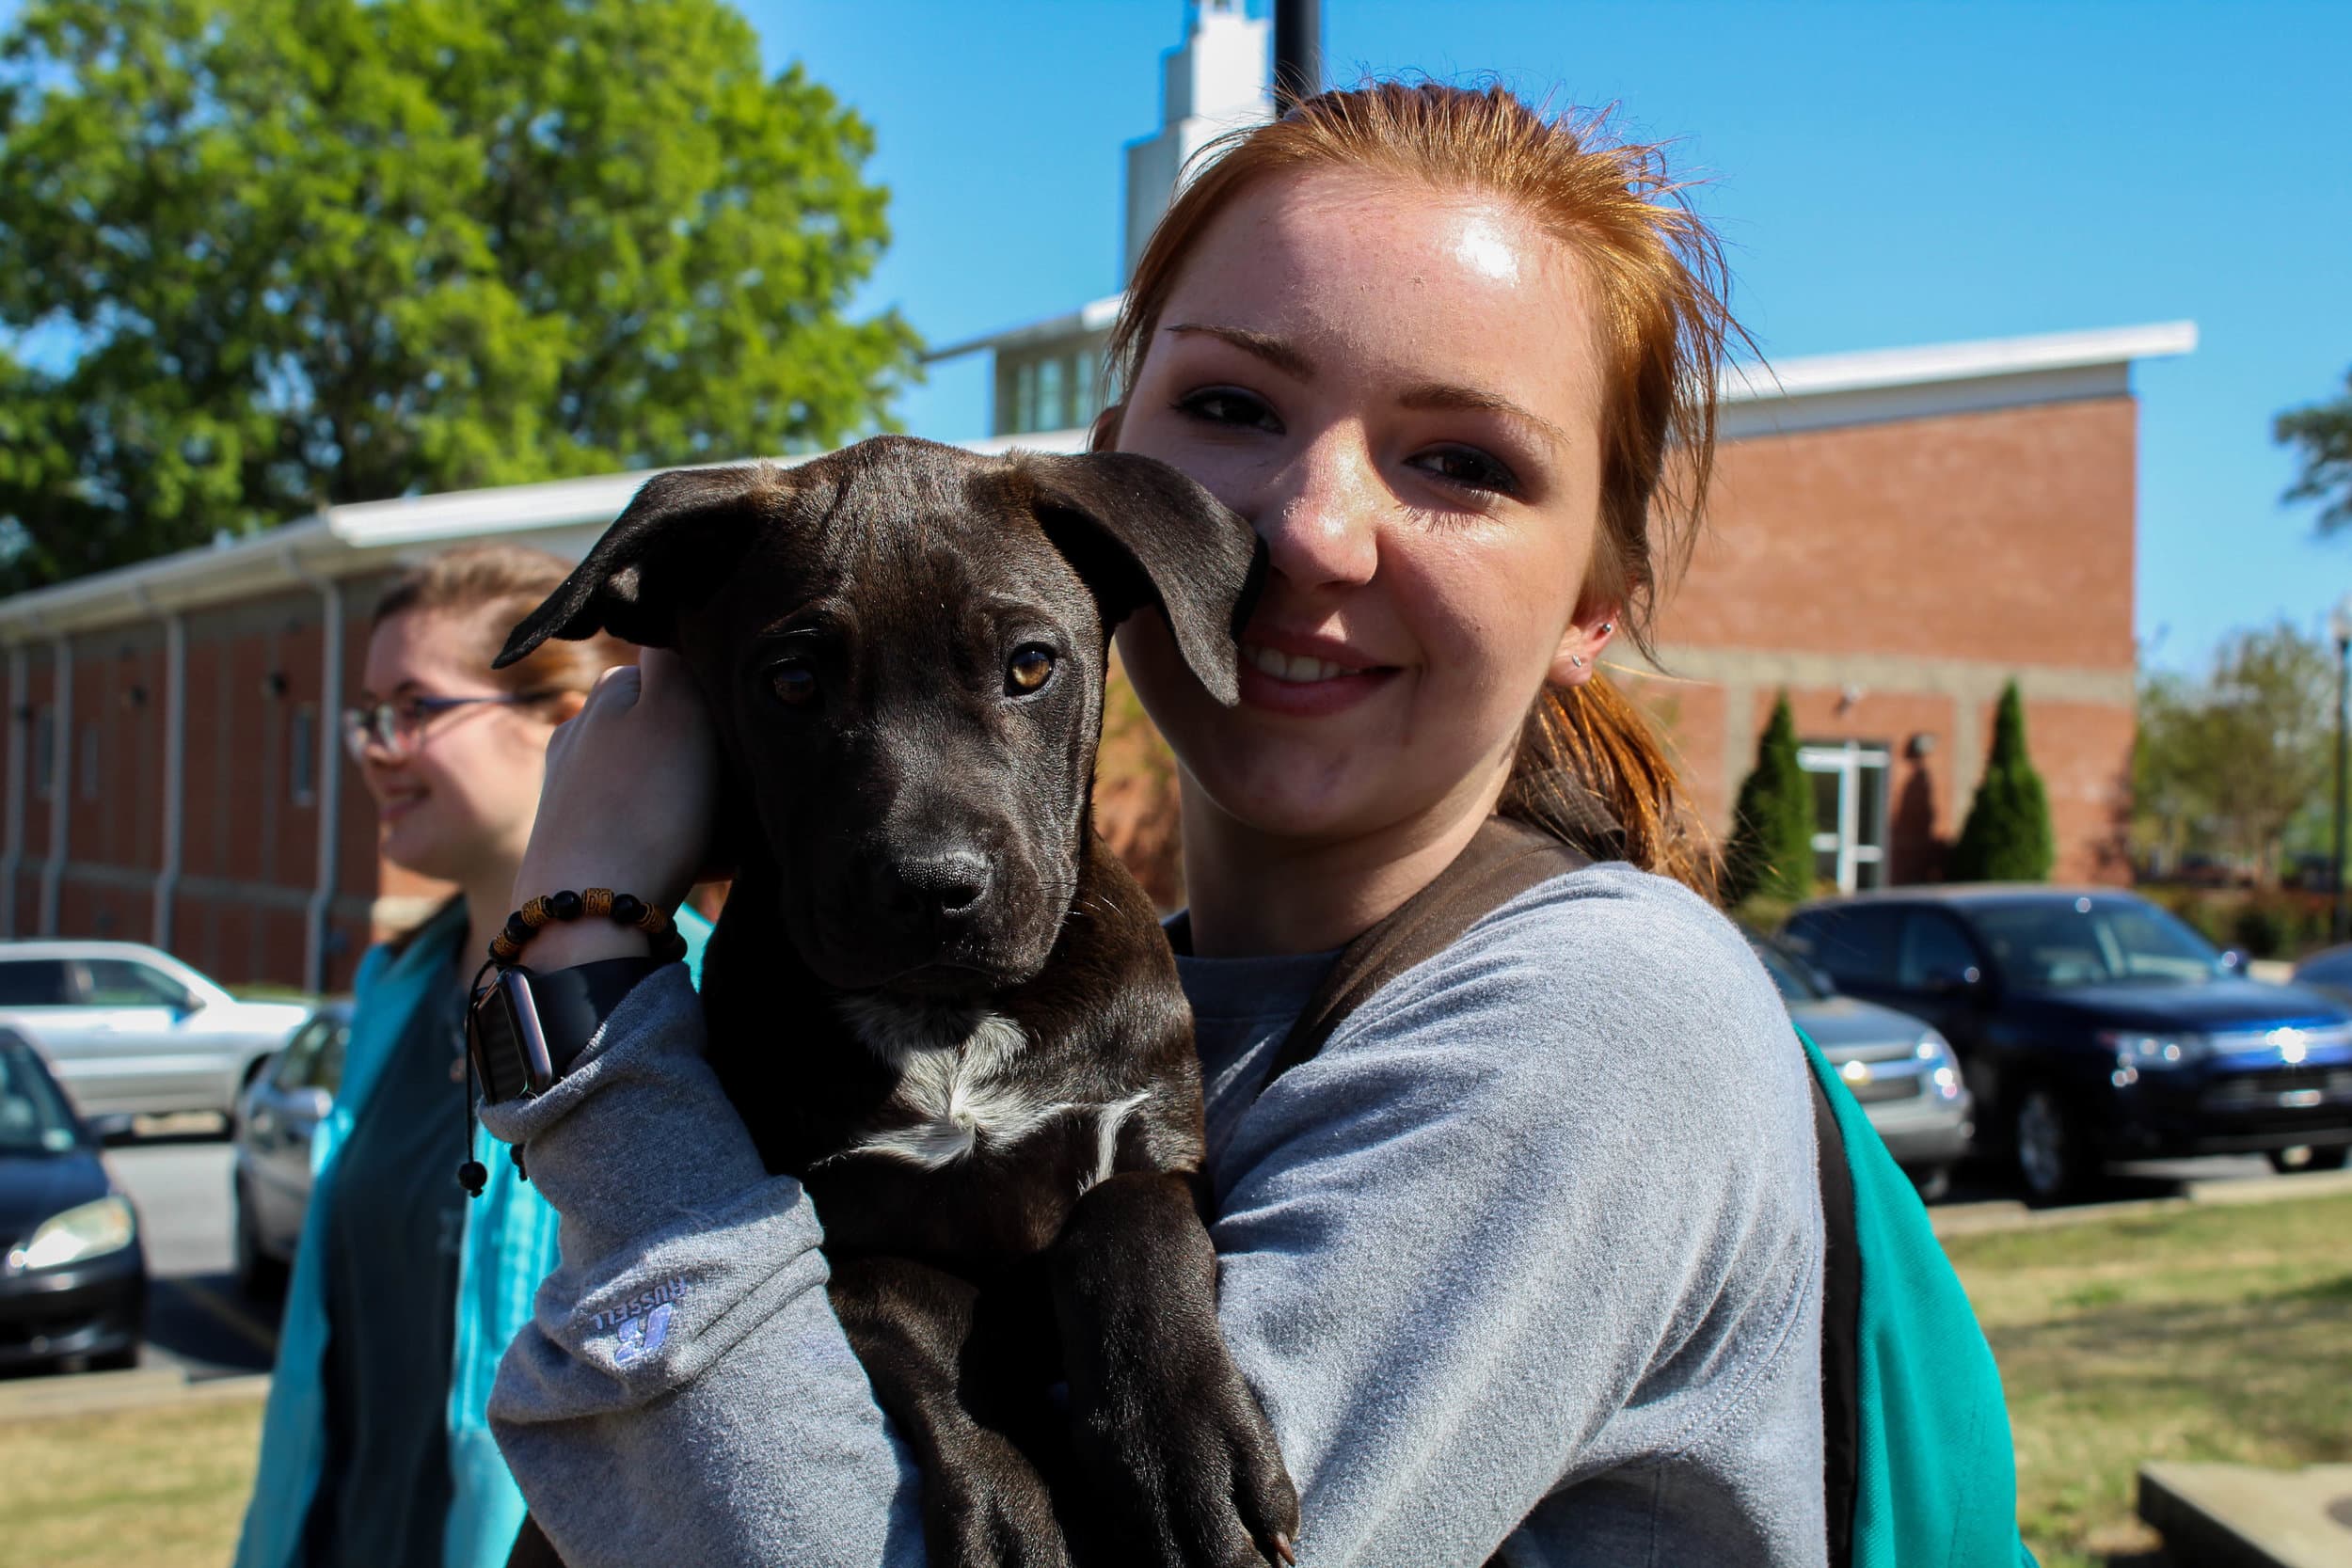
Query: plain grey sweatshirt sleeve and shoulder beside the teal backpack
[(1542, 1209)]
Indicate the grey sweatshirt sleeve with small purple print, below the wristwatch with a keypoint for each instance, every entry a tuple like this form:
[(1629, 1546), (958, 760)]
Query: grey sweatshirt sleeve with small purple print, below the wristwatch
[(683, 1391)]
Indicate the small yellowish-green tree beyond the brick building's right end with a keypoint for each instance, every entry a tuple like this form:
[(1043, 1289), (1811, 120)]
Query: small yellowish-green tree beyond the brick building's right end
[(2229, 760)]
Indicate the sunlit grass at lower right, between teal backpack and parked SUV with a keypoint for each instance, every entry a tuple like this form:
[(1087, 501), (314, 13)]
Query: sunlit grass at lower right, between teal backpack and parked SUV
[(2196, 1334)]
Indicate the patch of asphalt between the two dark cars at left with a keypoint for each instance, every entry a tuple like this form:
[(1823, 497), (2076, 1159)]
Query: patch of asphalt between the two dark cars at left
[(196, 1315)]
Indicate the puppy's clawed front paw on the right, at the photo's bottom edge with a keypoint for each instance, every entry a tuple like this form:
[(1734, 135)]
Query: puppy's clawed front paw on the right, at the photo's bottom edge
[(1194, 1475)]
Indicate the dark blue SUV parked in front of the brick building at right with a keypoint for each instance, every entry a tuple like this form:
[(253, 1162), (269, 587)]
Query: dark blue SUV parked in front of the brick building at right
[(2097, 1026)]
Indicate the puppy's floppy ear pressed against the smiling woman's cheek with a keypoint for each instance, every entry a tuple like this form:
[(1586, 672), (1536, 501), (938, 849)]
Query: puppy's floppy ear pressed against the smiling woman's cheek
[(1140, 535)]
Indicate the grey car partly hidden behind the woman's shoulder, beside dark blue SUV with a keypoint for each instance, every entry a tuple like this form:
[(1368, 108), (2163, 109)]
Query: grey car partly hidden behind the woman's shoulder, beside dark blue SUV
[(1897, 1066)]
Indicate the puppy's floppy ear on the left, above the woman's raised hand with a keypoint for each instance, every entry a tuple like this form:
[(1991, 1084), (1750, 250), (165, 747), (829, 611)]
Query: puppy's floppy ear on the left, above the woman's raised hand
[(664, 556)]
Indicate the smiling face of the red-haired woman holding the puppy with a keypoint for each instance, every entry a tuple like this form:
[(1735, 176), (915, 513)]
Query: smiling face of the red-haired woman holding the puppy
[(1401, 391)]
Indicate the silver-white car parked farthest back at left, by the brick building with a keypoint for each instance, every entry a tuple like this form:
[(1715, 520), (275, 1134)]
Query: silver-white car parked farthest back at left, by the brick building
[(133, 1031)]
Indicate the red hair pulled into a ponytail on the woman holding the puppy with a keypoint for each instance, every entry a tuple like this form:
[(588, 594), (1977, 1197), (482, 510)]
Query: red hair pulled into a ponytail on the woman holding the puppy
[(1589, 768)]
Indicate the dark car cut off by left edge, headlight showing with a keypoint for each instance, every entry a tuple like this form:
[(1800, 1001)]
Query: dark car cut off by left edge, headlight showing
[(72, 1266)]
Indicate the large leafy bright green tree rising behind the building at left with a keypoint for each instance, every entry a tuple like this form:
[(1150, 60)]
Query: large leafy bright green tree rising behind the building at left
[(335, 250)]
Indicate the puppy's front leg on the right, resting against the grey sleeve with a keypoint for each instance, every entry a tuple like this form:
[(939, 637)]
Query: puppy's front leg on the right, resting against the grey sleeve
[(1163, 1421)]
